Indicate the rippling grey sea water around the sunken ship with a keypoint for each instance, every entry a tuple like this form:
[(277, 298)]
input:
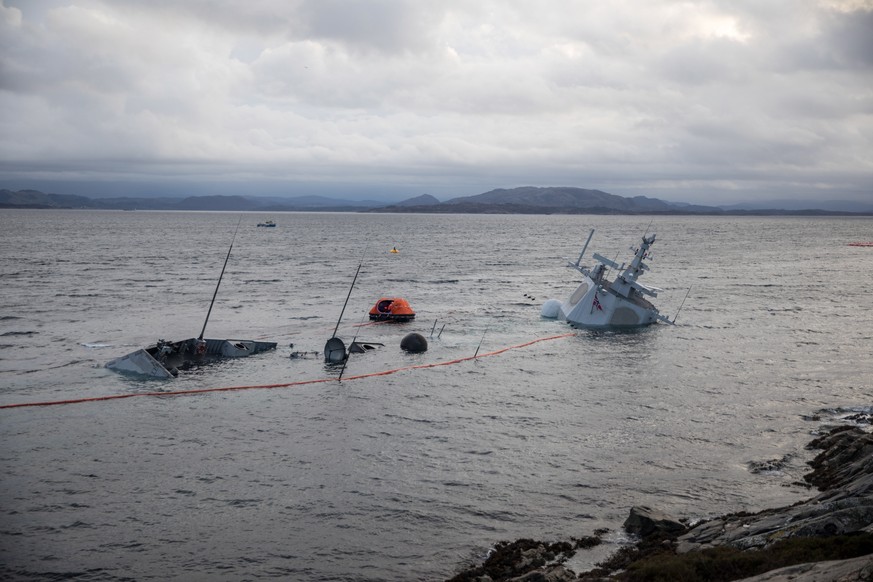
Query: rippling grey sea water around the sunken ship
[(416, 474)]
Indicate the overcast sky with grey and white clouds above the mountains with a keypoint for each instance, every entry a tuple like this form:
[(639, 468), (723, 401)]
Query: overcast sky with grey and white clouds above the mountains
[(700, 101)]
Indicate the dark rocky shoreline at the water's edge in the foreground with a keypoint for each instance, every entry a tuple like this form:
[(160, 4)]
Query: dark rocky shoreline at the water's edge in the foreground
[(826, 538)]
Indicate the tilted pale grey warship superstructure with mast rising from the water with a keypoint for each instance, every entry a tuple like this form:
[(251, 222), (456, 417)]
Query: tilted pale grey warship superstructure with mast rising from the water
[(601, 303)]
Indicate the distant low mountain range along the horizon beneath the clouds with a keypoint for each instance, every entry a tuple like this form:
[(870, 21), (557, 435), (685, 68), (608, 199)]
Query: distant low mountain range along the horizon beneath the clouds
[(523, 200)]
